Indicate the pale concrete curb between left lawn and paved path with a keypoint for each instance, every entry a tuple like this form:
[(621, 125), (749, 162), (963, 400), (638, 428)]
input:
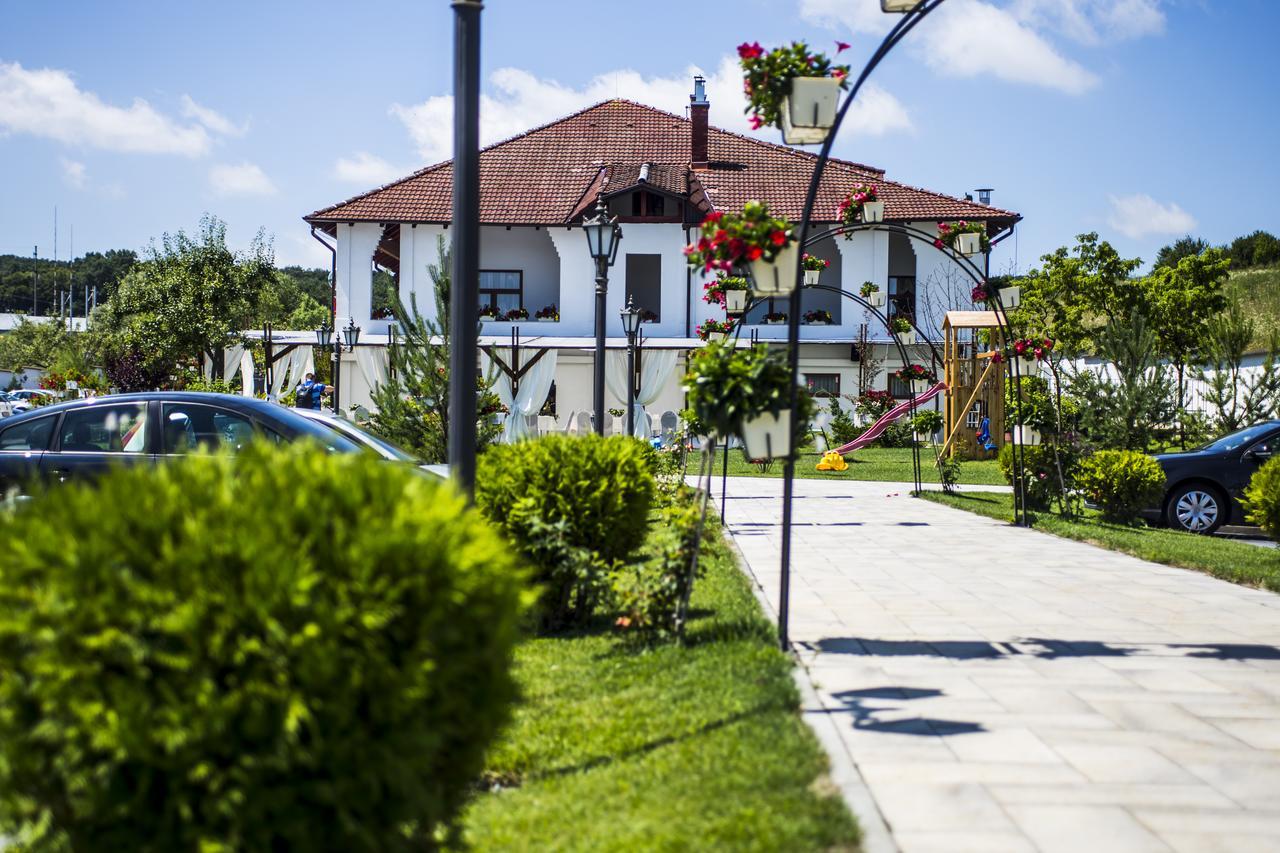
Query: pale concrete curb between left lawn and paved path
[(822, 720)]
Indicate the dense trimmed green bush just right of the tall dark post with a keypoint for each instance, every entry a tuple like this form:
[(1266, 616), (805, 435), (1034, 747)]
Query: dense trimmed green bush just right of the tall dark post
[(575, 507)]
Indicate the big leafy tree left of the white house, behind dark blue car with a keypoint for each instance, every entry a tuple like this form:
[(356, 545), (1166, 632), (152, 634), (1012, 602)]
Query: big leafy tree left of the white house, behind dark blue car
[(189, 298)]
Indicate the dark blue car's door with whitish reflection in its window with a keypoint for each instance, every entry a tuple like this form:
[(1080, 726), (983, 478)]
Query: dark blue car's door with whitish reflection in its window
[(92, 440)]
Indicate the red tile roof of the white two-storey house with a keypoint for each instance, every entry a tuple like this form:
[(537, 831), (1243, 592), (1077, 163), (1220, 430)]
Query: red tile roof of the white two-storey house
[(545, 176)]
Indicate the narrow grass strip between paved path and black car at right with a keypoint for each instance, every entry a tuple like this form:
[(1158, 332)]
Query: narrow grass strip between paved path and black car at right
[(1236, 562)]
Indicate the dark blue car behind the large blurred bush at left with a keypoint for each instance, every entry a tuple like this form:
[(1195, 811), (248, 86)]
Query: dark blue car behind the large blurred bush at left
[(83, 439)]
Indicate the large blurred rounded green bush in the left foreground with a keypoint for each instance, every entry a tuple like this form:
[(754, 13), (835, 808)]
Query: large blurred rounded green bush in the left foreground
[(285, 650)]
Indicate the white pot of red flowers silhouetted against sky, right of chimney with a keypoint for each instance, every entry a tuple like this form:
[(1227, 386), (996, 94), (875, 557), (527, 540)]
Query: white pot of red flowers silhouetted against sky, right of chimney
[(793, 89)]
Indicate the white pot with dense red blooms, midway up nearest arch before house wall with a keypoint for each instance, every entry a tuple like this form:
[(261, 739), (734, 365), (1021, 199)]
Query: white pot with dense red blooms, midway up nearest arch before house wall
[(753, 241)]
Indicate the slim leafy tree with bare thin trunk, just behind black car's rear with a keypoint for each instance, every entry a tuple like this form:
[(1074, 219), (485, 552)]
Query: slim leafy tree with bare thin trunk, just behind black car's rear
[(1182, 300)]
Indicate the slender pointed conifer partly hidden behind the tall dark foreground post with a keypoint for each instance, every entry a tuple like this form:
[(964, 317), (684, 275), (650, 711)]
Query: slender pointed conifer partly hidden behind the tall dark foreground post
[(414, 404)]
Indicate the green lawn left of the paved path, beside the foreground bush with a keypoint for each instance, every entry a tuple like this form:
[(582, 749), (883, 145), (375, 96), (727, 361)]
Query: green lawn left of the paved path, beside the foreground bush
[(697, 747)]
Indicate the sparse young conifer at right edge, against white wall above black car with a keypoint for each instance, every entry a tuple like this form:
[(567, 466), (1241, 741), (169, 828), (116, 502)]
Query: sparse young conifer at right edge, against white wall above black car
[(1240, 398)]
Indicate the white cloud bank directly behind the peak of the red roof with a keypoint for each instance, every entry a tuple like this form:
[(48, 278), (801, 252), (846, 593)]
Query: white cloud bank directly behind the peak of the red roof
[(524, 101)]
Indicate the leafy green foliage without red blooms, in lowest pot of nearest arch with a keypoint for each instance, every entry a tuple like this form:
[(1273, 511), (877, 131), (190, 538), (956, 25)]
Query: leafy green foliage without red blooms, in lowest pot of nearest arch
[(728, 386)]
